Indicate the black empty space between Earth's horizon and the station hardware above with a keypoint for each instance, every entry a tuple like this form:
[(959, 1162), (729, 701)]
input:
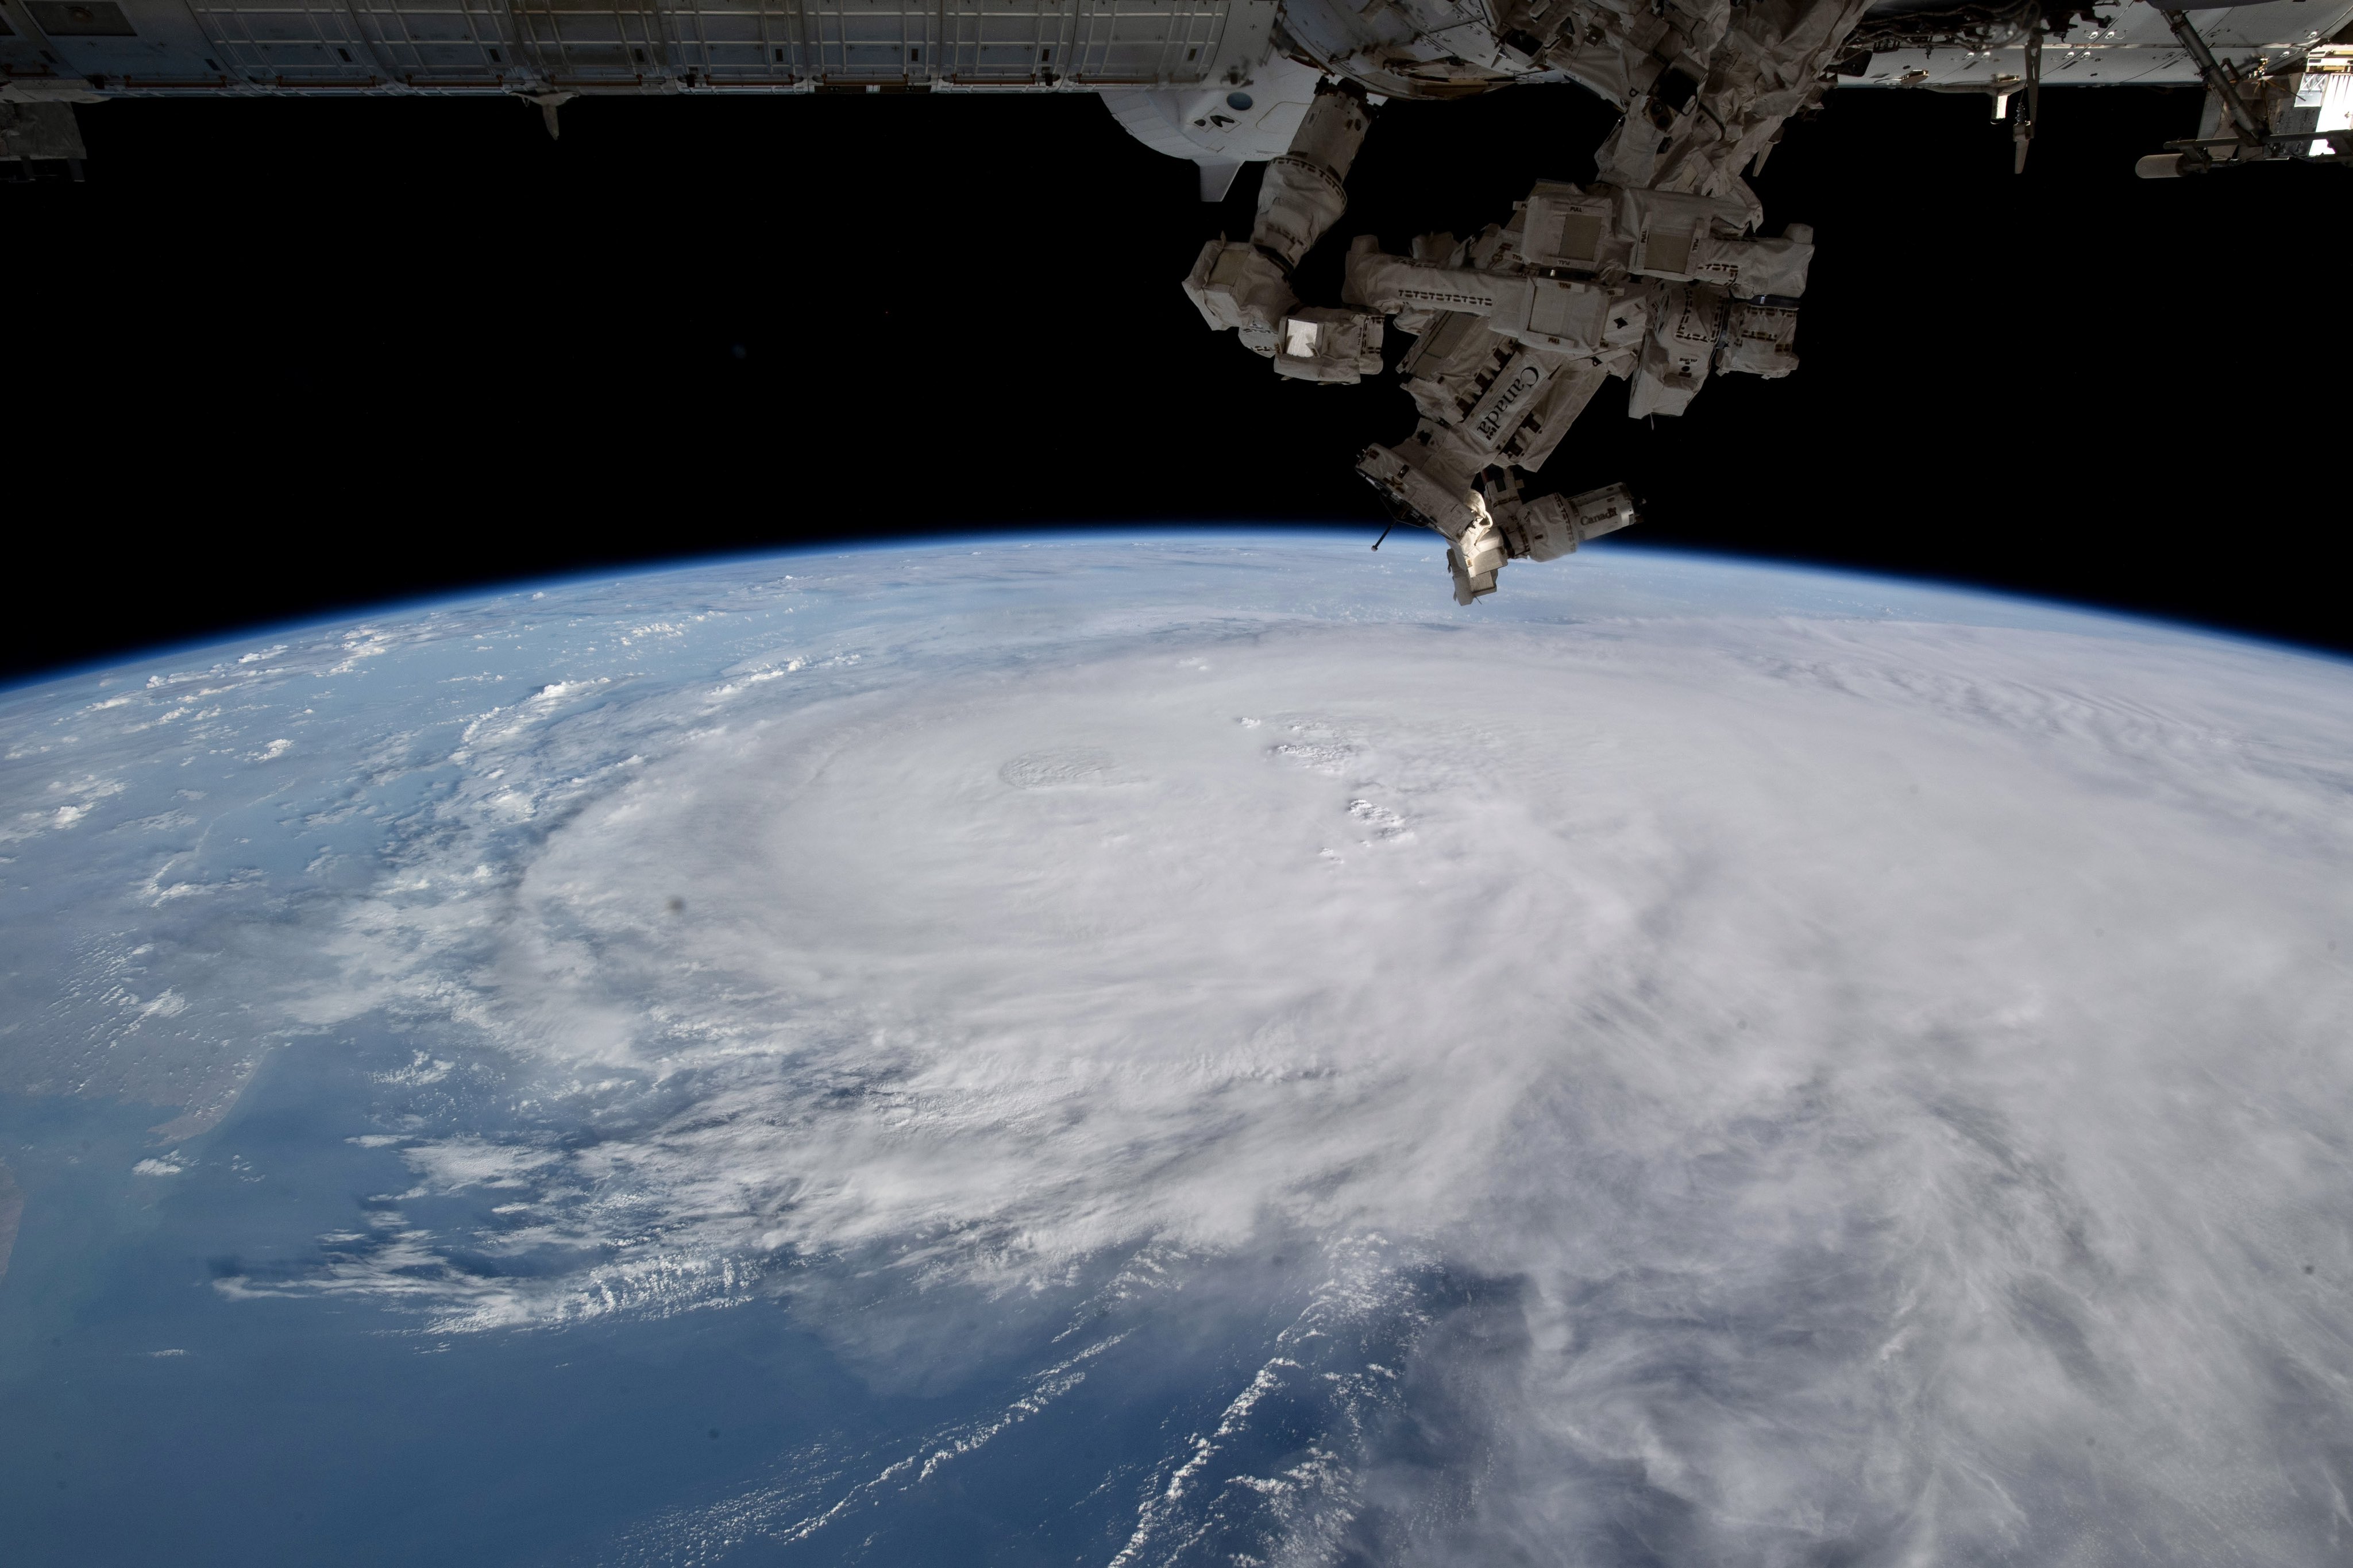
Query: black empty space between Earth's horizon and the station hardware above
[(281, 359)]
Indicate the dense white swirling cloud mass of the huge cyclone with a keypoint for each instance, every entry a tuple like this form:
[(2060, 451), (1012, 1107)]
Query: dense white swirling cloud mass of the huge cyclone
[(1822, 1021)]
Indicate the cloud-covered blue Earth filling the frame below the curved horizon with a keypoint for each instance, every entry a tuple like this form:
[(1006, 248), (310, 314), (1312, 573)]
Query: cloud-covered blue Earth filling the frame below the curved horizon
[(1180, 1050)]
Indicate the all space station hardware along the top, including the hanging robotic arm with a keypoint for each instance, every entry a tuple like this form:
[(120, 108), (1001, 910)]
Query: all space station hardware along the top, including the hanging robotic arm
[(1658, 272)]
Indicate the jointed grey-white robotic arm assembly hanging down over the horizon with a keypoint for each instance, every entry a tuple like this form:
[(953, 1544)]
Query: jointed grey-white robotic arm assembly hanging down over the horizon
[(1653, 274)]
